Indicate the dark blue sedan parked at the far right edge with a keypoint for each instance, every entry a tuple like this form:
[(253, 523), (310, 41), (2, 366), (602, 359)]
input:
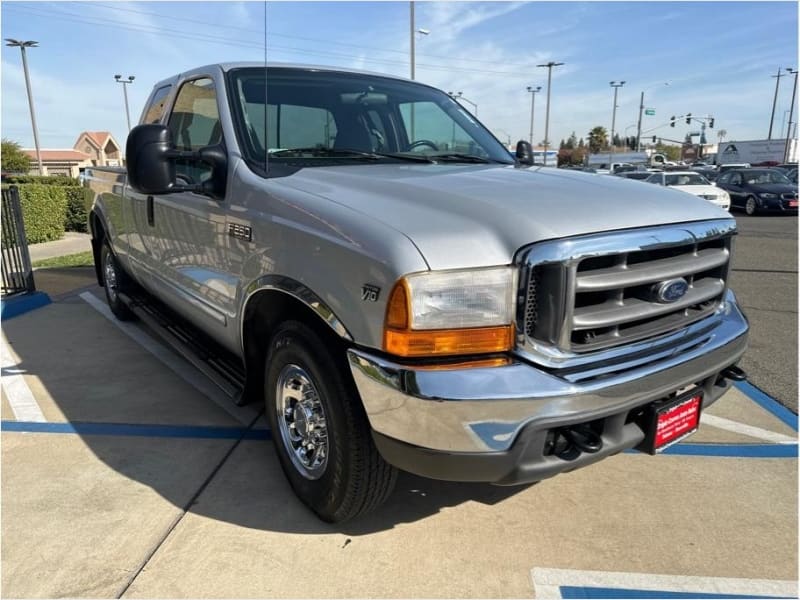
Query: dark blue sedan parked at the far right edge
[(759, 190)]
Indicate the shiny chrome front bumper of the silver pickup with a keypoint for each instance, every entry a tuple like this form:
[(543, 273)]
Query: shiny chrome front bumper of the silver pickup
[(483, 410)]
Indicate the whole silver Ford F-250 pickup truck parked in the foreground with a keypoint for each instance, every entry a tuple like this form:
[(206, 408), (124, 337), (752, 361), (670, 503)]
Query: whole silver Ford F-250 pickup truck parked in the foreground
[(403, 293)]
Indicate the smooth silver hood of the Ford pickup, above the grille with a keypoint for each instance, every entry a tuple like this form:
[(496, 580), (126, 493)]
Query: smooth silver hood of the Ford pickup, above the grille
[(468, 215)]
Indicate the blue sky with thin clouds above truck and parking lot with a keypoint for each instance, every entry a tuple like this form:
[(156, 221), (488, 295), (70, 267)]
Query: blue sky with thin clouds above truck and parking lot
[(717, 56)]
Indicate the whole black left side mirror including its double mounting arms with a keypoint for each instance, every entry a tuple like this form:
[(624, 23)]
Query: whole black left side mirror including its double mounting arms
[(151, 163)]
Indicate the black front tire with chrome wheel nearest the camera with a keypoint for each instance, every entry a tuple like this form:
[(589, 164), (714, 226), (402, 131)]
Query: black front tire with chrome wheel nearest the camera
[(343, 476)]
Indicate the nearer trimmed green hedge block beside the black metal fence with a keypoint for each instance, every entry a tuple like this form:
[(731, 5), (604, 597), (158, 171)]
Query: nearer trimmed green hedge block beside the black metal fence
[(44, 208)]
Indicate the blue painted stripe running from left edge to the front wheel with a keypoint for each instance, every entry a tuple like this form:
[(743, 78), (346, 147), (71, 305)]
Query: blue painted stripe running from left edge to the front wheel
[(126, 429)]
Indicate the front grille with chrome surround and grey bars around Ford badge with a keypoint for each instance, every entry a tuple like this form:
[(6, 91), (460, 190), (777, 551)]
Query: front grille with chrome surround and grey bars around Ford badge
[(592, 293)]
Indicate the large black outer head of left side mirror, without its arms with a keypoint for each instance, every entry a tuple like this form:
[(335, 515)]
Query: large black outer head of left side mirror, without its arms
[(150, 170)]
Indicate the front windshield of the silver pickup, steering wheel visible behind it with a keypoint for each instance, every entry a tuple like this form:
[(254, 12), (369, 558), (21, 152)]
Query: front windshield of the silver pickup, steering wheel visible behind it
[(320, 118)]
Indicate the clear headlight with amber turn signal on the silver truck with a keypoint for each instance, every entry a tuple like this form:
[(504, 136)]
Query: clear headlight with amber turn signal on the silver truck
[(451, 313)]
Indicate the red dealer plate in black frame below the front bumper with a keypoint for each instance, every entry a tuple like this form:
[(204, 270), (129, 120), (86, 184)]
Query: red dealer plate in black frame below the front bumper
[(666, 423)]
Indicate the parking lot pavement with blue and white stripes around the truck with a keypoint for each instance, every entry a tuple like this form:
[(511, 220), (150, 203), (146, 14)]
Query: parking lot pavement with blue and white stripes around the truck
[(136, 479)]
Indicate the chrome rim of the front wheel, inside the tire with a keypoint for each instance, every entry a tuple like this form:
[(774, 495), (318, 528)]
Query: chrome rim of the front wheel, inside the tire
[(301, 421)]
